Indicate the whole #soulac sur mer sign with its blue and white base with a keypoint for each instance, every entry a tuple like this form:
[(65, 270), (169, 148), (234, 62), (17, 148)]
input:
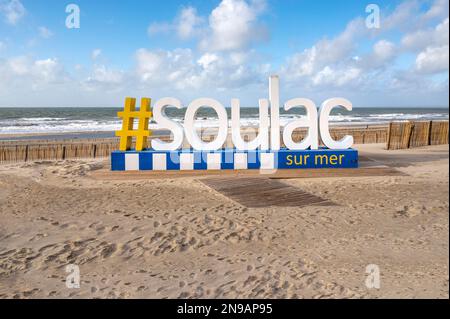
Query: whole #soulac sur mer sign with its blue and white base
[(263, 152)]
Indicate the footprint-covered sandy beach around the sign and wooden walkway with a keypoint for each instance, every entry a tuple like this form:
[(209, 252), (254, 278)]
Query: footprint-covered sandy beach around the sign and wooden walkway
[(177, 238)]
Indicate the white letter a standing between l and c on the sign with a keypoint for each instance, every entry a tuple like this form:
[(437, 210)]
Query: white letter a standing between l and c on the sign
[(310, 121)]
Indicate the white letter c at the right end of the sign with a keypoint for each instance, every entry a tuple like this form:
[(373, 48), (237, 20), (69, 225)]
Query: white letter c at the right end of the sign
[(324, 115)]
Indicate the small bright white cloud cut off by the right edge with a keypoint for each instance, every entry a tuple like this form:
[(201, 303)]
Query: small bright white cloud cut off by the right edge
[(433, 60)]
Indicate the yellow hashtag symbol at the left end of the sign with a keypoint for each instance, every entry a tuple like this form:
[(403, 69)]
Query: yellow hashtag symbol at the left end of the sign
[(128, 115)]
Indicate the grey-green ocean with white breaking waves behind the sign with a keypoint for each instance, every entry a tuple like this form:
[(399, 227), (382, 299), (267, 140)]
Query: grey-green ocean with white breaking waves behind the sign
[(59, 120)]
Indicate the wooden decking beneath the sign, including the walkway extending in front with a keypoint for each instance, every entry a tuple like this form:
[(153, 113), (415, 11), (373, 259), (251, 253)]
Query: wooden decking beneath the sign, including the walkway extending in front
[(251, 188)]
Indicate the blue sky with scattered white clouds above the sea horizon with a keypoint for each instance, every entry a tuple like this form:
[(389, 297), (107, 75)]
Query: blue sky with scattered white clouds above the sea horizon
[(223, 49)]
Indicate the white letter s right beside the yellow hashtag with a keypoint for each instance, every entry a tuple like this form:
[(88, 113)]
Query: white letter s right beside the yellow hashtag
[(165, 123)]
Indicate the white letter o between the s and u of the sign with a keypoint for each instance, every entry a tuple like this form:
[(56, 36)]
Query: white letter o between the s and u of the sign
[(189, 128)]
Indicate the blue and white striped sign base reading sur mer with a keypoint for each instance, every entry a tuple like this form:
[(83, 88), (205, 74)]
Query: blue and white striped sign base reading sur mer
[(232, 159)]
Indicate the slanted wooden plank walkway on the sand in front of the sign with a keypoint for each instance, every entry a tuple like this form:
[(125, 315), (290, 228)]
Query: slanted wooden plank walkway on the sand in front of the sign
[(263, 192)]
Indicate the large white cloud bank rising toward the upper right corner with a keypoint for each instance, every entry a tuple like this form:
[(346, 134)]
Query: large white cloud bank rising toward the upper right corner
[(338, 63)]
